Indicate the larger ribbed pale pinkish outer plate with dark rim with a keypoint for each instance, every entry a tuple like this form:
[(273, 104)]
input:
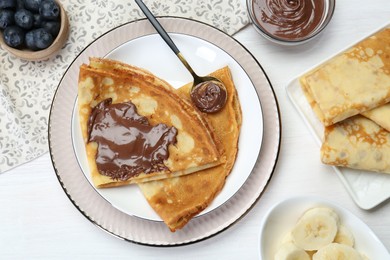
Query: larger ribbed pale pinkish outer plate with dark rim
[(140, 230)]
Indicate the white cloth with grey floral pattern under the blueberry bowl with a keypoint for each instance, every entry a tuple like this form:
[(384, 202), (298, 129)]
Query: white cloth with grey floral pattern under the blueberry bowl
[(27, 87)]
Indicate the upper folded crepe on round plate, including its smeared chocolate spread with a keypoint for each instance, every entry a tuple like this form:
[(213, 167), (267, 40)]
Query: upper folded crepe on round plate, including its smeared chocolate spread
[(132, 110)]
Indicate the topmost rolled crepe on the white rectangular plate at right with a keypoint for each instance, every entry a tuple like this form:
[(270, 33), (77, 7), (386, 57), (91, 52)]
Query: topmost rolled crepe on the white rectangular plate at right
[(350, 83)]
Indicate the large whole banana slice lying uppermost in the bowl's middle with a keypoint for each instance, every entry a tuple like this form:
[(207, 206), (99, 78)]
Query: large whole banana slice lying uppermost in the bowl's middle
[(315, 229)]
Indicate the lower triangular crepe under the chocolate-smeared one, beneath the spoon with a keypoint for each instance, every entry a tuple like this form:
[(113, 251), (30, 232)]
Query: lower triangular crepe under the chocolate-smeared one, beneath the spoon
[(177, 200)]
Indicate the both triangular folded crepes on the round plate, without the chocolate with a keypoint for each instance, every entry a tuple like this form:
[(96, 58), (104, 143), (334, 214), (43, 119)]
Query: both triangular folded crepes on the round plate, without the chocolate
[(206, 148)]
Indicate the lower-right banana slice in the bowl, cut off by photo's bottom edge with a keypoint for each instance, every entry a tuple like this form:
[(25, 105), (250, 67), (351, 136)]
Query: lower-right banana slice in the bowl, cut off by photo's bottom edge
[(337, 251)]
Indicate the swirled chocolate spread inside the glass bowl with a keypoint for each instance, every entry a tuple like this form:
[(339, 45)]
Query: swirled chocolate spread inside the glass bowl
[(289, 19)]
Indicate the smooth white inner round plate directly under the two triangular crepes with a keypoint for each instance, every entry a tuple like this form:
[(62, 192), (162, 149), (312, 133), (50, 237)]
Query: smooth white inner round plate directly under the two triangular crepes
[(150, 52)]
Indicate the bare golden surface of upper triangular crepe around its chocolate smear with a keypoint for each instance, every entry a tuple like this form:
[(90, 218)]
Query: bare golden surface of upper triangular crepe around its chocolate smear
[(195, 148)]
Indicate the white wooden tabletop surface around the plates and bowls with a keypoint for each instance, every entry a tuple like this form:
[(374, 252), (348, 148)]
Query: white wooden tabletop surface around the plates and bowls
[(37, 220)]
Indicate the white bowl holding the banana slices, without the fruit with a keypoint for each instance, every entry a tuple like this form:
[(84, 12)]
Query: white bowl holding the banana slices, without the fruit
[(283, 216)]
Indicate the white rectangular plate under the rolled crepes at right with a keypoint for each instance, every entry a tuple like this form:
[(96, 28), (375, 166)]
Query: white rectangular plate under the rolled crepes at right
[(367, 189)]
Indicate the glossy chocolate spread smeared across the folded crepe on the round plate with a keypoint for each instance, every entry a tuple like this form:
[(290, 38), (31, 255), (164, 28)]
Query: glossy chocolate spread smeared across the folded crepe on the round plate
[(127, 144)]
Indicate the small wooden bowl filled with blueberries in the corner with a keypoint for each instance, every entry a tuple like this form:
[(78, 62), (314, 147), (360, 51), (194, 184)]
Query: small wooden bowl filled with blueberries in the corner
[(33, 29)]
